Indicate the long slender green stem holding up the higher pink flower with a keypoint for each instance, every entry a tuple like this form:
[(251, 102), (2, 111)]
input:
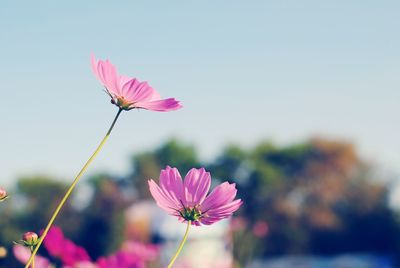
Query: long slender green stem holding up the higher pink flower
[(70, 189)]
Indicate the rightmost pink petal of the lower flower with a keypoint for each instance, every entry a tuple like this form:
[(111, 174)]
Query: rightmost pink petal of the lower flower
[(220, 196)]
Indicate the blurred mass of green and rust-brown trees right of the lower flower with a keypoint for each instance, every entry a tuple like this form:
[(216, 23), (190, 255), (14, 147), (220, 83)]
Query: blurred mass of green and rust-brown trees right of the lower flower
[(317, 197)]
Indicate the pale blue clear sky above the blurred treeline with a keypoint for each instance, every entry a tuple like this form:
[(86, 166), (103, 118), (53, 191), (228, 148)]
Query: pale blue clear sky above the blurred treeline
[(245, 71)]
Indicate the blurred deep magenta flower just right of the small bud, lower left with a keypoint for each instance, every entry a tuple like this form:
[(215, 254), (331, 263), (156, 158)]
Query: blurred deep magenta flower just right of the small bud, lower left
[(58, 246)]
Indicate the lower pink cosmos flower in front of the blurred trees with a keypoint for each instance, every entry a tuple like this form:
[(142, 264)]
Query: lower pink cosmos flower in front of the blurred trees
[(188, 199)]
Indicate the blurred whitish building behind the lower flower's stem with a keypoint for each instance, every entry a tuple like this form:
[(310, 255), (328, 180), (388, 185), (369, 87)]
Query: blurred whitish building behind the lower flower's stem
[(207, 246)]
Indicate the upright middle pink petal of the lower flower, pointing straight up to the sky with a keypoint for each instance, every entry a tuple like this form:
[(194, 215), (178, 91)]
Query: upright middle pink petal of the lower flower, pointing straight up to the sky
[(196, 185)]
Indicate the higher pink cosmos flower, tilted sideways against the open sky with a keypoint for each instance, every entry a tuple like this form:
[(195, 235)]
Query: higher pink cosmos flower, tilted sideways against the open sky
[(128, 93)]
